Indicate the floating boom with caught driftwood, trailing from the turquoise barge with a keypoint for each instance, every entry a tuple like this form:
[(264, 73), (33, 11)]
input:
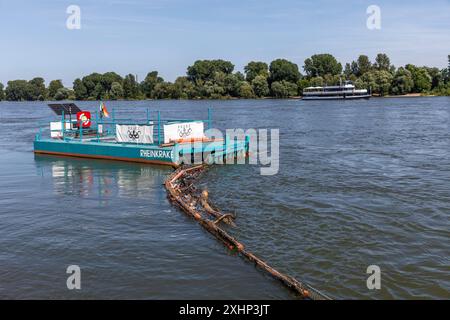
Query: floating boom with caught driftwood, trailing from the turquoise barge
[(183, 193)]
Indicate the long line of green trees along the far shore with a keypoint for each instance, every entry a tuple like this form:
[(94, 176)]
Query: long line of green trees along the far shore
[(216, 79)]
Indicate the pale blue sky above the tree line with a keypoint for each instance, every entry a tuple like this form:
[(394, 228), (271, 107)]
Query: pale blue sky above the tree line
[(138, 36)]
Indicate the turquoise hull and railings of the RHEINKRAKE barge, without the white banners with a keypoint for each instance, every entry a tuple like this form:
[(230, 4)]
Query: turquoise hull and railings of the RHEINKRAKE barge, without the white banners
[(101, 142)]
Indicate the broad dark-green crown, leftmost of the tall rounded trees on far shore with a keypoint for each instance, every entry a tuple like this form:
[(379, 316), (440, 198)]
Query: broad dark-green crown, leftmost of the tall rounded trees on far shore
[(205, 69)]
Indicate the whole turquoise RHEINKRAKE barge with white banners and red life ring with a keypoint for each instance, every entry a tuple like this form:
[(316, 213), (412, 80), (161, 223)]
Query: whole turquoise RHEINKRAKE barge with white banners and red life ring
[(165, 142)]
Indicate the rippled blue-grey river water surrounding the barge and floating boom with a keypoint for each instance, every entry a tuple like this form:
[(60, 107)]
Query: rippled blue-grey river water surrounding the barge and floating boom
[(360, 183)]
